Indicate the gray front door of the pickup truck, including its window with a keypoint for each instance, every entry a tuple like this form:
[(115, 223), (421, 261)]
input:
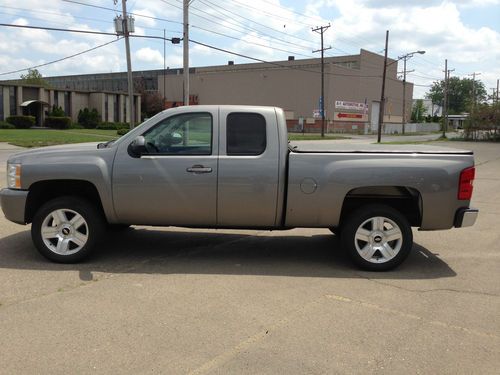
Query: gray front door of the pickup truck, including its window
[(175, 181)]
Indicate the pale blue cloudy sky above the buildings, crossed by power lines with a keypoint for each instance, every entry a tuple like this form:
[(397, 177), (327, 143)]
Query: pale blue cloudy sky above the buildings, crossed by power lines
[(466, 32)]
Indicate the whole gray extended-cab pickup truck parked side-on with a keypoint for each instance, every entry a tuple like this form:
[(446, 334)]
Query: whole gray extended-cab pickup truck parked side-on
[(232, 167)]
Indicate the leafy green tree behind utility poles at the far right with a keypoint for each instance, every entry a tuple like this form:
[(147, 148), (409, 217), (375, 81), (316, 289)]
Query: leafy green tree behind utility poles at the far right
[(460, 94)]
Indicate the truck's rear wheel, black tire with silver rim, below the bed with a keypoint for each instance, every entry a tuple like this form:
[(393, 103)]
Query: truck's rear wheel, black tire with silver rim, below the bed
[(377, 237)]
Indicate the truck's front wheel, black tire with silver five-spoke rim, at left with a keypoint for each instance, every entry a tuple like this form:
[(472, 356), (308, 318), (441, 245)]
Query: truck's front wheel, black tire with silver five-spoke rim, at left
[(66, 229)]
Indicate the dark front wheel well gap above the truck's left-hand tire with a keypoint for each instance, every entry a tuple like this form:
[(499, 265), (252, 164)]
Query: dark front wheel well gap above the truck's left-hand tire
[(43, 191)]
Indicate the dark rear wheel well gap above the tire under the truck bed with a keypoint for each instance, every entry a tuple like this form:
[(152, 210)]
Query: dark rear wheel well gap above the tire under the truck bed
[(406, 200)]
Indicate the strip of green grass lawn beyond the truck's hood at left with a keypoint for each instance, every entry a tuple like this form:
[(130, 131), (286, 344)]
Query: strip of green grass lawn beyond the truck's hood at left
[(48, 137)]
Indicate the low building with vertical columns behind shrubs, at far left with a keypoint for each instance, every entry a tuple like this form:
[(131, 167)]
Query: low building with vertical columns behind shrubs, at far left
[(25, 99)]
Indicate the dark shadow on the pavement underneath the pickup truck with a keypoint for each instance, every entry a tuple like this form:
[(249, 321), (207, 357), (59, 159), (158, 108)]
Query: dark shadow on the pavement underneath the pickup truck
[(148, 250)]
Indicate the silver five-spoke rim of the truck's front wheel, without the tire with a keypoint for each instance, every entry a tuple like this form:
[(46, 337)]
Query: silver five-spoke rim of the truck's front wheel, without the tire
[(64, 231)]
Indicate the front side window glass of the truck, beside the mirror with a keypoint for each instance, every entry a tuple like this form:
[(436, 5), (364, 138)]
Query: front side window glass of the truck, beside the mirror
[(185, 134)]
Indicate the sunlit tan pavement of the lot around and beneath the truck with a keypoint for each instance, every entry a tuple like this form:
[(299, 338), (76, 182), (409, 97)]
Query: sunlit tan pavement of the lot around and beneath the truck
[(175, 301)]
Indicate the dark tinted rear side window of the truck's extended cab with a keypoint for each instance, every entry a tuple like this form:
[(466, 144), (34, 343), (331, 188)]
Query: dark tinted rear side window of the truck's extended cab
[(246, 134)]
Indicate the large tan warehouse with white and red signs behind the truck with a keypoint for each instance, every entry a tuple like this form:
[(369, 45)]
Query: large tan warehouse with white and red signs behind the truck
[(352, 90)]
